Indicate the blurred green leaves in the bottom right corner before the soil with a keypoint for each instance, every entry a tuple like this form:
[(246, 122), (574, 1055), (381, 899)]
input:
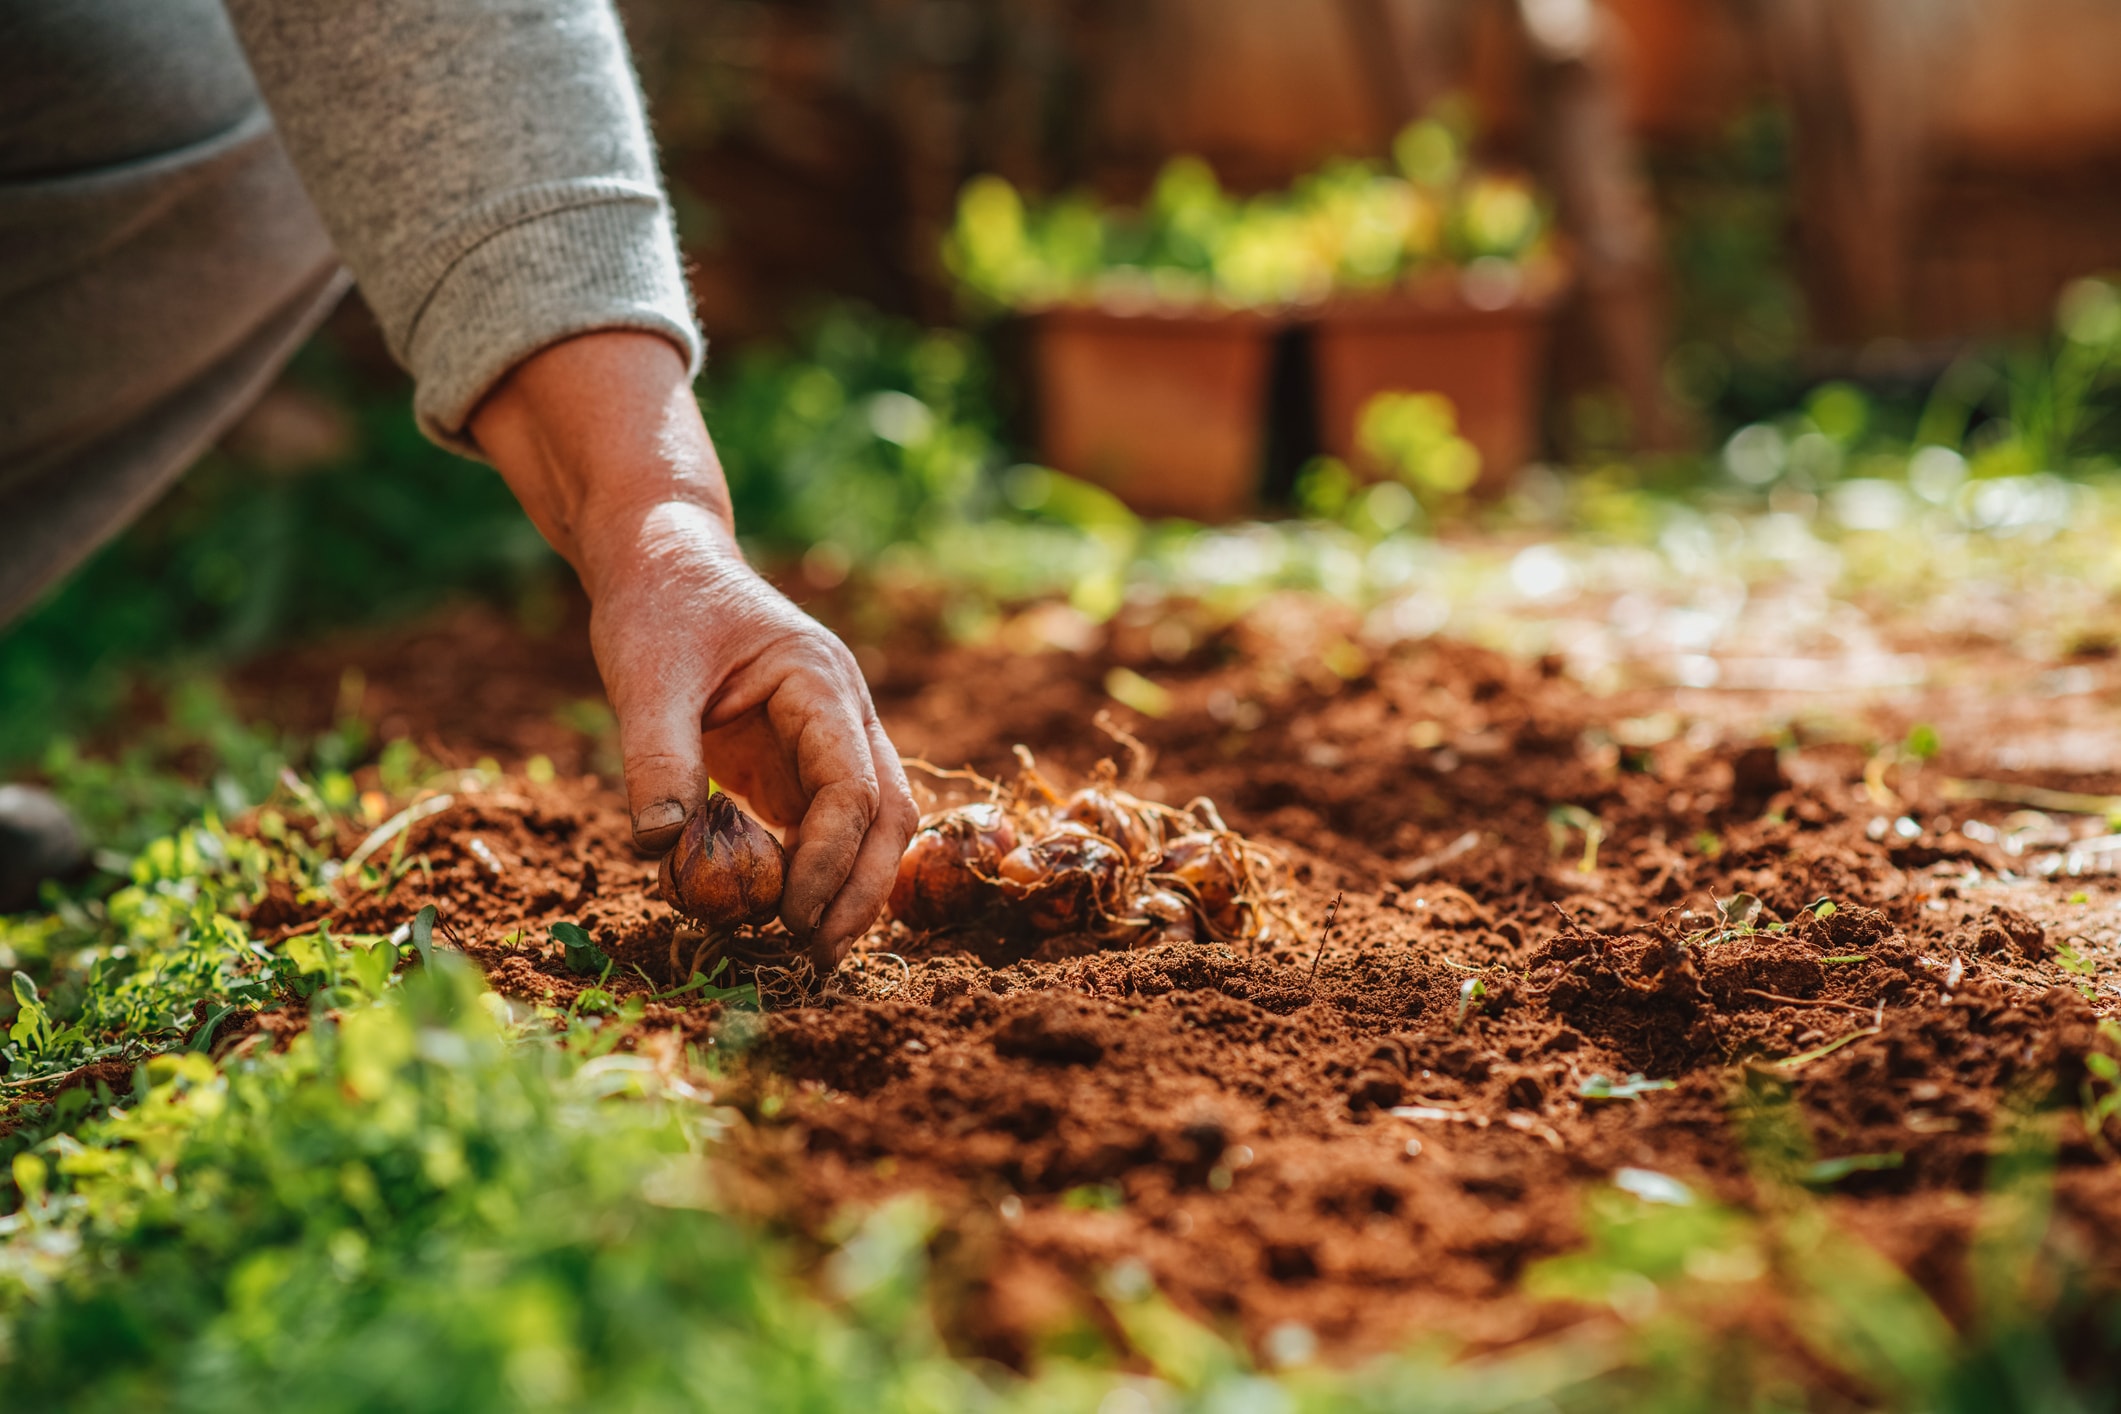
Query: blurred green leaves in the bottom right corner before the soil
[(1670, 1262)]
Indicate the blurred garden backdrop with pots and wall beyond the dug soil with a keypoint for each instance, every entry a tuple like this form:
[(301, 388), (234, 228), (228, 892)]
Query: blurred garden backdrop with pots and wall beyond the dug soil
[(1028, 302)]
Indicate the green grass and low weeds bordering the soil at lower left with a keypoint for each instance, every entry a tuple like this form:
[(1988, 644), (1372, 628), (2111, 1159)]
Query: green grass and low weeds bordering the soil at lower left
[(434, 1201)]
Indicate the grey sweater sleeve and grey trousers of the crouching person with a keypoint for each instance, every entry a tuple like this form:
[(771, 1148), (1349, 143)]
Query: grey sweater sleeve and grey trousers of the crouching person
[(183, 179)]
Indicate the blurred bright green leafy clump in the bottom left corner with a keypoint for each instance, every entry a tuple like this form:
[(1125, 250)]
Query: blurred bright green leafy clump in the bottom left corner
[(410, 1212)]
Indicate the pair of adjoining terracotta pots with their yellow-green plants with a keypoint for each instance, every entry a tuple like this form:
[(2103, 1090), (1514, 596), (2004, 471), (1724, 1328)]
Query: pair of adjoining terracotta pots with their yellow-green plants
[(1153, 330)]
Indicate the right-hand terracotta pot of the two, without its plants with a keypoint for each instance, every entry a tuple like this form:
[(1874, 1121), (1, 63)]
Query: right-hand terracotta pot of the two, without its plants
[(1486, 361)]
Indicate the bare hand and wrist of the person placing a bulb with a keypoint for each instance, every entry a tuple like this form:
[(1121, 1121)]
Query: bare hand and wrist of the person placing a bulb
[(709, 669)]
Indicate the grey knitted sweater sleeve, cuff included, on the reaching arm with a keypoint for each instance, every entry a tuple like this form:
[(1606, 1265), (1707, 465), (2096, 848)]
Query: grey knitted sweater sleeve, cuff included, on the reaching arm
[(485, 169)]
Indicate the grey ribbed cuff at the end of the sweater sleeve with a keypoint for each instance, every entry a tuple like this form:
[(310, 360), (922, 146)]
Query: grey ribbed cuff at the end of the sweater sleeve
[(540, 266)]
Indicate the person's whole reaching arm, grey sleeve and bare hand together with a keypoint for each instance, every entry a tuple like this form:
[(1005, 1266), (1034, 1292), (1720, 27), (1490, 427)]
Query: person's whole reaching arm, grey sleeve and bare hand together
[(485, 171)]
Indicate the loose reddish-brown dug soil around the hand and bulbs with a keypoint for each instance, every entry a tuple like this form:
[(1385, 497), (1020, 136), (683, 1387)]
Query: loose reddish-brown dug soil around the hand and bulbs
[(1225, 1114)]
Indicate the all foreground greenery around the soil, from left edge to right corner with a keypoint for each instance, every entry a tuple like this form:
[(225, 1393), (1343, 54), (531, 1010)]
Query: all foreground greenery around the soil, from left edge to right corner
[(430, 1203)]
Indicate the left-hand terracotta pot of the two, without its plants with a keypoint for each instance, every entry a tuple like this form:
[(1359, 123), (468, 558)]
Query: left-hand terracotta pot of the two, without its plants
[(1165, 410)]
